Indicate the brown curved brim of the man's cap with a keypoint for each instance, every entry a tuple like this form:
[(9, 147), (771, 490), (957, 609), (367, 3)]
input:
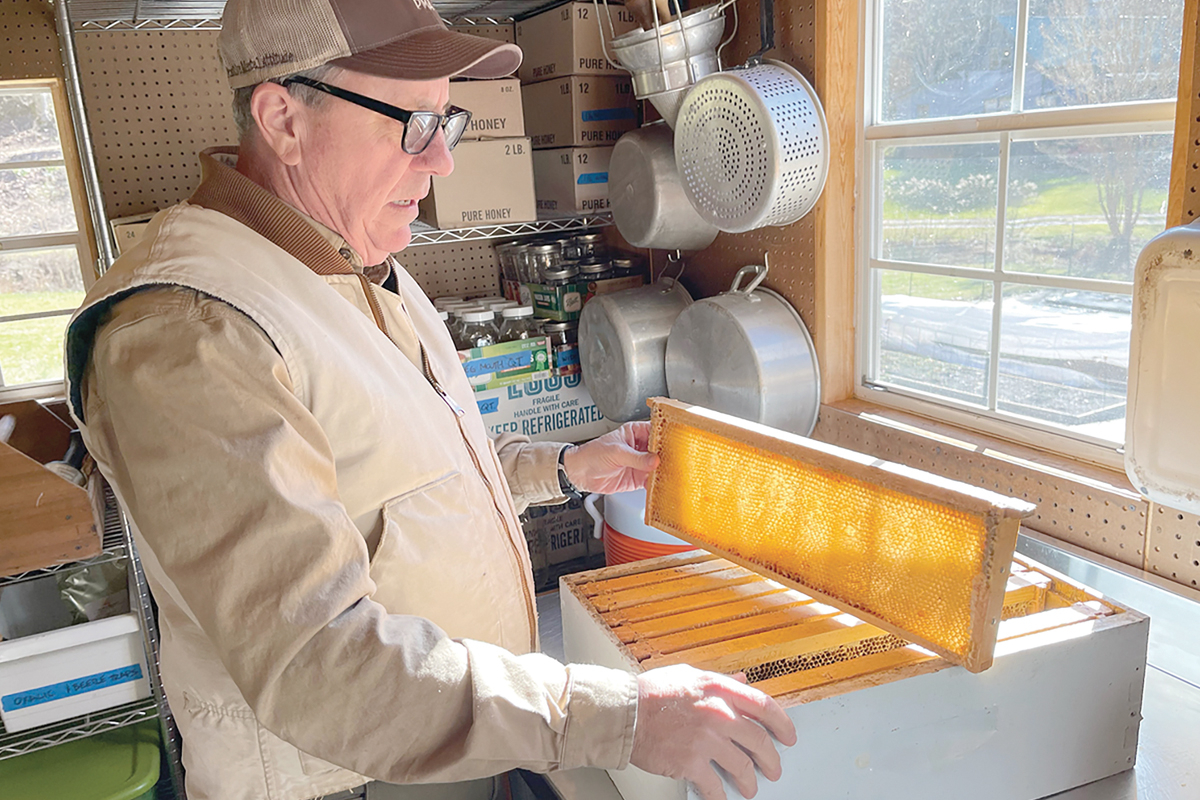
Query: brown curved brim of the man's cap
[(437, 53)]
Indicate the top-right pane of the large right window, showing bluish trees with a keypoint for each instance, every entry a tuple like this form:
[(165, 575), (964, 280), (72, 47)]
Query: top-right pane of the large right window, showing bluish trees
[(1097, 52)]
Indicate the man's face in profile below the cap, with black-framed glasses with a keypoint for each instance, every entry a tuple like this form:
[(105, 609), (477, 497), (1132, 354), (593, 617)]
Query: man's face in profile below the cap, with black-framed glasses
[(356, 177)]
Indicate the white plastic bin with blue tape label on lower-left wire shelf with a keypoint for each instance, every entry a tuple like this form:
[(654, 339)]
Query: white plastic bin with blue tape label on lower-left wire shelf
[(70, 672)]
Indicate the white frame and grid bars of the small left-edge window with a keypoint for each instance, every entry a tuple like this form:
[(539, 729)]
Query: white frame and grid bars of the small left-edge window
[(77, 238)]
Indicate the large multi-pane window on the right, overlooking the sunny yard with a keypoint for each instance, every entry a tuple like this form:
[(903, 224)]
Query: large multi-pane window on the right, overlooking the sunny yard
[(1019, 158)]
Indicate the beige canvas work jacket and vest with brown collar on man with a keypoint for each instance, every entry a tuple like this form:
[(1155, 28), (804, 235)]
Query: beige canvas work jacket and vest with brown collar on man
[(344, 587)]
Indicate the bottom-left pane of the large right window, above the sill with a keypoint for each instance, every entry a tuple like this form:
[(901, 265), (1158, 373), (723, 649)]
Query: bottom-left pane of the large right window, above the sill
[(935, 334)]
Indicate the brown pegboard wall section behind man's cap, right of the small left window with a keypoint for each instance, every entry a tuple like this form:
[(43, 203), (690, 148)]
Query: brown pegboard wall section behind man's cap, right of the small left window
[(155, 100)]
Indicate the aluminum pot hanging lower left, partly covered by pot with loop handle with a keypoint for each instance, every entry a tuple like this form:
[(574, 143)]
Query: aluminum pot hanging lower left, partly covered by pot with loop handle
[(623, 339)]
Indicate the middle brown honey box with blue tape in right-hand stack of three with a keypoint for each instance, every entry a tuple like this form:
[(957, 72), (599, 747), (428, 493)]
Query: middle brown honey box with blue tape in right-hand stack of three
[(580, 111)]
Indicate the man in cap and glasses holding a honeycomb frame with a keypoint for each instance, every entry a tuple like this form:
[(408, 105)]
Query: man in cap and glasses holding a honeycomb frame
[(332, 538)]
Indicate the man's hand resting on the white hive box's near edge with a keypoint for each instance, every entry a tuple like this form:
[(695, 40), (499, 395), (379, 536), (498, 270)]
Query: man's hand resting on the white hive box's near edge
[(688, 720)]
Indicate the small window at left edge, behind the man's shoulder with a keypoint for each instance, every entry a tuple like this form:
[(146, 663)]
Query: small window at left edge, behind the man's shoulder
[(41, 242)]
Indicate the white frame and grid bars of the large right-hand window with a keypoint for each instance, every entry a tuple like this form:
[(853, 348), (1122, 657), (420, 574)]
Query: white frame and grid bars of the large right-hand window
[(1137, 118)]
